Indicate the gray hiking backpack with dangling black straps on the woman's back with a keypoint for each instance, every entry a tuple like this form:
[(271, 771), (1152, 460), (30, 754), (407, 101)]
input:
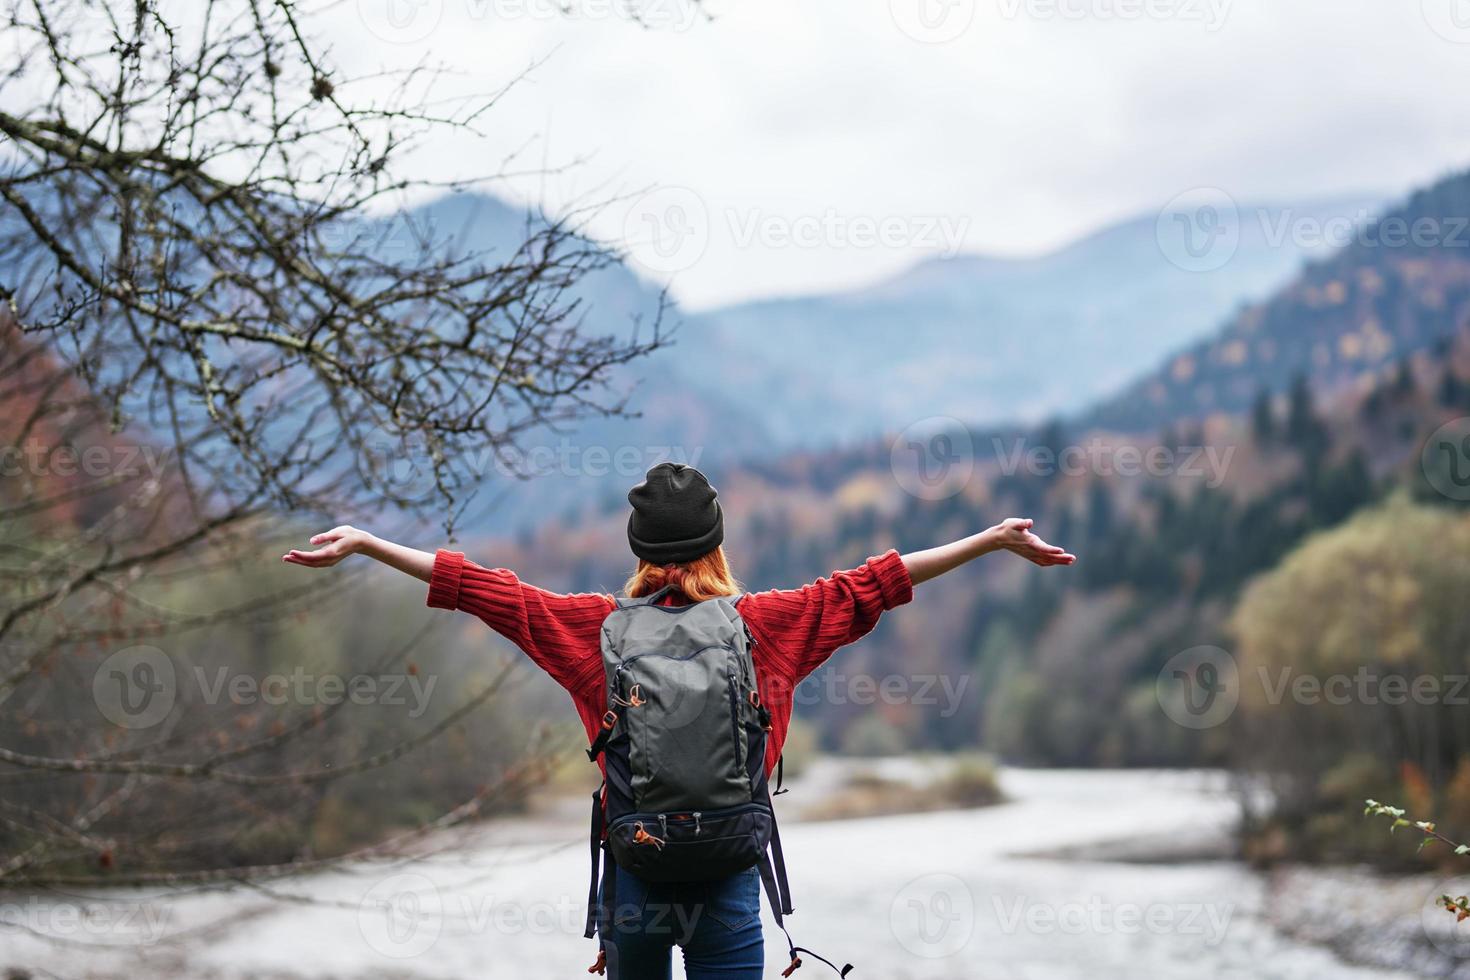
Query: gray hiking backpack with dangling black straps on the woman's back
[(684, 747)]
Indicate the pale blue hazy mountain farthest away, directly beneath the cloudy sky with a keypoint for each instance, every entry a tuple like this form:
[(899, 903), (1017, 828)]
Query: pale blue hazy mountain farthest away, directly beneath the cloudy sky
[(993, 340)]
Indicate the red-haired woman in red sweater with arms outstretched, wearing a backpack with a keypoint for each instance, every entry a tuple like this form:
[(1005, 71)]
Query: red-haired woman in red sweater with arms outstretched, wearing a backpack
[(675, 531)]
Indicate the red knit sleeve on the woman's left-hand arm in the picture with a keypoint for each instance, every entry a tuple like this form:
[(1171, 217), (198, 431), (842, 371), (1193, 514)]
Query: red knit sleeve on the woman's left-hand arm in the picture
[(559, 633)]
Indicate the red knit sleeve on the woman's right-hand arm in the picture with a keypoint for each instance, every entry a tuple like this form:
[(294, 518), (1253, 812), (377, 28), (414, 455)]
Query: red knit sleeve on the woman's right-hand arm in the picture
[(802, 628)]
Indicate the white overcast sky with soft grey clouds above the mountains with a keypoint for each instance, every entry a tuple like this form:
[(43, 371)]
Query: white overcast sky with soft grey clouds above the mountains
[(802, 146)]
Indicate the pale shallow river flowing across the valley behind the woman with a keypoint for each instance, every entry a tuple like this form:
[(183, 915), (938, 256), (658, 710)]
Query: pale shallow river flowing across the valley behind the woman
[(944, 896)]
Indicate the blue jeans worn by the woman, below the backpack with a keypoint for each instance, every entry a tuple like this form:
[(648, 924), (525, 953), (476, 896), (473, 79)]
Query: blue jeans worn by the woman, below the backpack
[(717, 925)]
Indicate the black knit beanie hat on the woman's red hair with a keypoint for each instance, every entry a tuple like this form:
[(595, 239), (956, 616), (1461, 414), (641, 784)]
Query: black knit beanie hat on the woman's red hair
[(677, 516)]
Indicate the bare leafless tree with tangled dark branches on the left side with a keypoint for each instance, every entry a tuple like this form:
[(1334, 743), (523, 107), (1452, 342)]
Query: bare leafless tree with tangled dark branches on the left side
[(202, 333)]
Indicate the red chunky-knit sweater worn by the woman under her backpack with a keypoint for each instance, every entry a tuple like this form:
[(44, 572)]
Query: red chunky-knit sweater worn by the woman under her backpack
[(796, 630)]
